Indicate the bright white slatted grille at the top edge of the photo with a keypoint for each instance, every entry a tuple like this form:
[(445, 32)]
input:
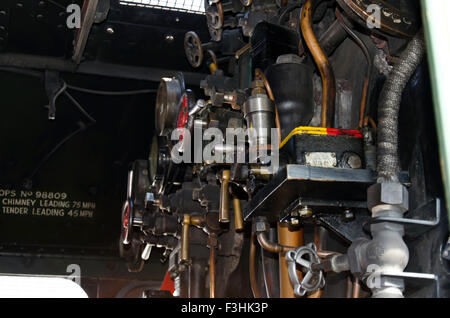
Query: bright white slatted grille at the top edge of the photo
[(191, 6)]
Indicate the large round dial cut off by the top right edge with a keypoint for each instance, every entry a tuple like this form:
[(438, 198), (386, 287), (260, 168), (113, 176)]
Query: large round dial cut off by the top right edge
[(394, 17)]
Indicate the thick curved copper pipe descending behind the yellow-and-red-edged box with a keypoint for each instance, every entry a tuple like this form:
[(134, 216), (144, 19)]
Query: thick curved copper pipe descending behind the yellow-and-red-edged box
[(321, 59)]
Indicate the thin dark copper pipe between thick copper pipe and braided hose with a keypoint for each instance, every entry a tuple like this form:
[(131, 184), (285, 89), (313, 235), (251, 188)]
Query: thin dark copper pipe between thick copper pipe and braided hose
[(365, 50)]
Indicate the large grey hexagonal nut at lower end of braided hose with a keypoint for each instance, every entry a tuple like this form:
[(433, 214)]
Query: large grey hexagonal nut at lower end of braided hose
[(392, 193)]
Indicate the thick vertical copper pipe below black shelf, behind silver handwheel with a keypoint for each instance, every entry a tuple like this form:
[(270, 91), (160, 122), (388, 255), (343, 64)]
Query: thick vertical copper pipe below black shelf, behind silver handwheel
[(286, 237)]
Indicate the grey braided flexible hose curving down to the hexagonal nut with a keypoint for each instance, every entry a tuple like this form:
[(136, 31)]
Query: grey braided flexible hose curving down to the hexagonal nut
[(389, 107)]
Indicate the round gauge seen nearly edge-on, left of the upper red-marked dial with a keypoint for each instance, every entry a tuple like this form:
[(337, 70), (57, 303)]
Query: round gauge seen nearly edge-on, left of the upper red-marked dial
[(167, 100)]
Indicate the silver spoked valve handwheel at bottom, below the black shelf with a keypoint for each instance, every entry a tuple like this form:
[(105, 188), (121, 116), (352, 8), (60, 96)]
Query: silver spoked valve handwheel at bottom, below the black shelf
[(306, 257)]
